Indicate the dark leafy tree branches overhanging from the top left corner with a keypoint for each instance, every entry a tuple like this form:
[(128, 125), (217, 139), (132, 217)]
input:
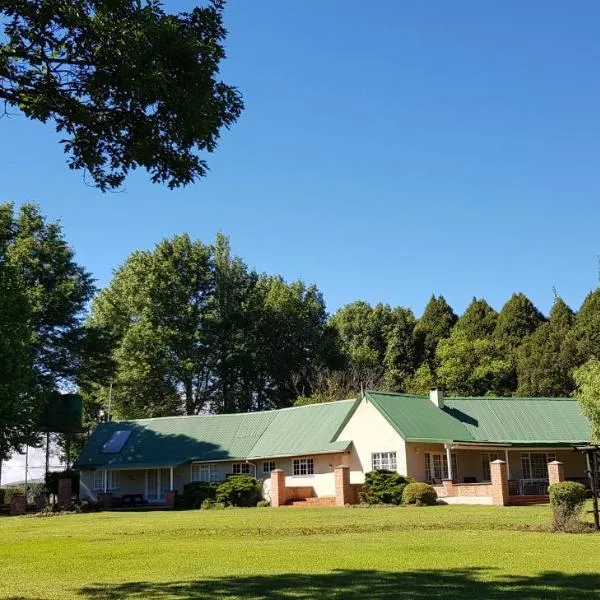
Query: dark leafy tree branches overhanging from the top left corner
[(126, 84)]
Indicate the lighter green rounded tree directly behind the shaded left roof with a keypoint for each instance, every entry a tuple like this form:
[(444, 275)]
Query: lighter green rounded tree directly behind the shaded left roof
[(156, 309)]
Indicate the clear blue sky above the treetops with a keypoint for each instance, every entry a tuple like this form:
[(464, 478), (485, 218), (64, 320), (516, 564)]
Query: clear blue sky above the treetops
[(388, 150)]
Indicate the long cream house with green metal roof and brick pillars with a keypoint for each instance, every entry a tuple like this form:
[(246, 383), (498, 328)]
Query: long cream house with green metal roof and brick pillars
[(323, 450)]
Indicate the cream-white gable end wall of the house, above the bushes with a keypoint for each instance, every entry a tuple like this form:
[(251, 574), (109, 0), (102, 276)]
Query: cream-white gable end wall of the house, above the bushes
[(370, 432)]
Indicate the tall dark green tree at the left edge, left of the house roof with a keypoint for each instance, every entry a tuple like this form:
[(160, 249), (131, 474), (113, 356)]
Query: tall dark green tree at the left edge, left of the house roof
[(44, 297)]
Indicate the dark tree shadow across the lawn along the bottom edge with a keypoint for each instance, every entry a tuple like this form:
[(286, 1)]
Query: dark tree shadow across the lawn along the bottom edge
[(374, 585)]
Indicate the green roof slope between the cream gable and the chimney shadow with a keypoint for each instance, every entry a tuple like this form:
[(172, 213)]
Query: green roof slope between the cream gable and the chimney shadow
[(417, 419)]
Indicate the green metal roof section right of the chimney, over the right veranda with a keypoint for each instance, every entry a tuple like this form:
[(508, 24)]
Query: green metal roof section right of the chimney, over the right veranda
[(521, 420)]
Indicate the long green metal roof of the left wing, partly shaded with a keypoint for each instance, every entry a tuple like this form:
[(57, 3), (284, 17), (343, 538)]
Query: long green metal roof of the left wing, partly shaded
[(171, 441)]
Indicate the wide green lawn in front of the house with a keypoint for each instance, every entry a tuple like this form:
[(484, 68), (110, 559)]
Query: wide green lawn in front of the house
[(390, 553)]
